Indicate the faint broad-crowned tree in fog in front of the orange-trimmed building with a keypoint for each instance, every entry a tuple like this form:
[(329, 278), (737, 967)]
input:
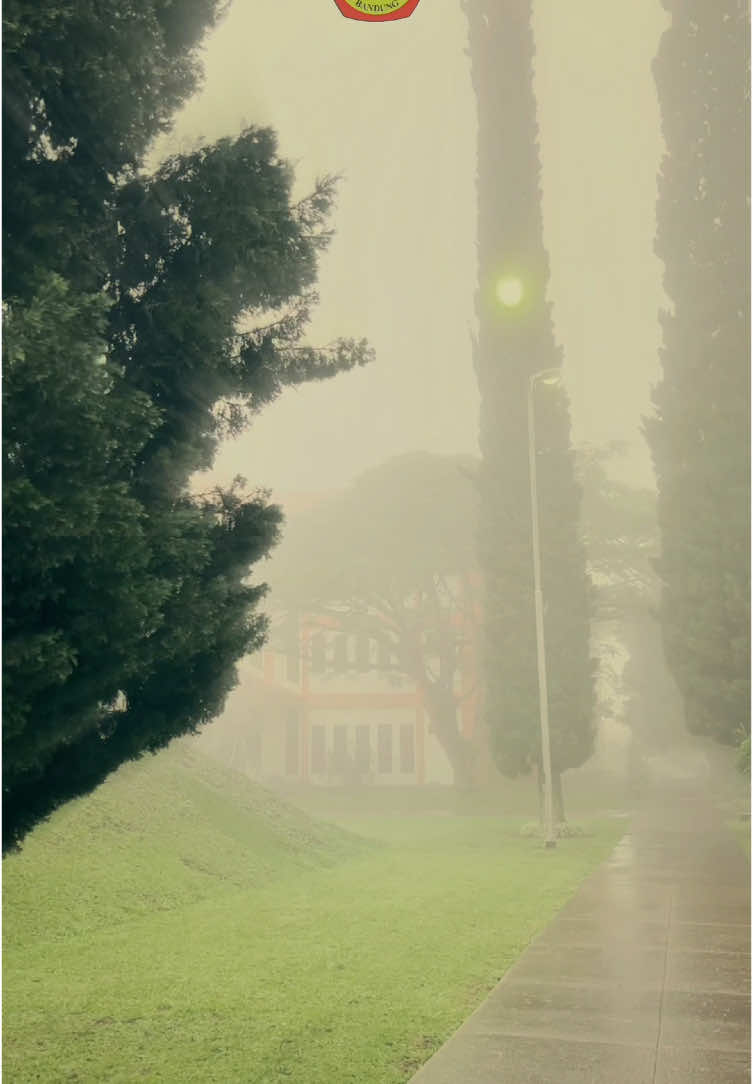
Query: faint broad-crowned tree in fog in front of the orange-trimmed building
[(394, 558)]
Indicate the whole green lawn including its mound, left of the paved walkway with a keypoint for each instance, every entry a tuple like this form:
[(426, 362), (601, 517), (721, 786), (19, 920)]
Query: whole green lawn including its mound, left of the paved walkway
[(184, 925)]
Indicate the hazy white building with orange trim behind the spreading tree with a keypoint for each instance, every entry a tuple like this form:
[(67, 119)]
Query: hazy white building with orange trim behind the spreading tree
[(326, 706)]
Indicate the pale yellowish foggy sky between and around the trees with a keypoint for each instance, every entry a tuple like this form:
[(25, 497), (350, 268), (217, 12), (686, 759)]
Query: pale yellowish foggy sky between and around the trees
[(392, 108)]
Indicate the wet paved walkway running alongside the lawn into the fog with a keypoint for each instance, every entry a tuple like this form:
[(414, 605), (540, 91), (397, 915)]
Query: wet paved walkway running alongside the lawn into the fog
[(644, 978)]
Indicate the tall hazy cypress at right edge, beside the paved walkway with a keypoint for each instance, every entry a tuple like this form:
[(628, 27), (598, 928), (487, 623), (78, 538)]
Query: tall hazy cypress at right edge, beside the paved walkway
[(699, 434)]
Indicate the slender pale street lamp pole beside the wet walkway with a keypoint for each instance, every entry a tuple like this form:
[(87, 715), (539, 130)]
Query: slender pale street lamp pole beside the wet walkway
[(543, 377)]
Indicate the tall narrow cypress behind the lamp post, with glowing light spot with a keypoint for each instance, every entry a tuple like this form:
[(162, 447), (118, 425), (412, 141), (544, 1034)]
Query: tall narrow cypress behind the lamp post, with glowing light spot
[(516, 341)]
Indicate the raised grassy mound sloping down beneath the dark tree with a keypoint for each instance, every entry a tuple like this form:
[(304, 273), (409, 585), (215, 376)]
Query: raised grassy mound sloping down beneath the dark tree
[(164, 833)]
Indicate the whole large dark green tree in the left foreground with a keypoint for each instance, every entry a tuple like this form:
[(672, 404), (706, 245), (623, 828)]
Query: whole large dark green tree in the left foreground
[(147, 317)]
